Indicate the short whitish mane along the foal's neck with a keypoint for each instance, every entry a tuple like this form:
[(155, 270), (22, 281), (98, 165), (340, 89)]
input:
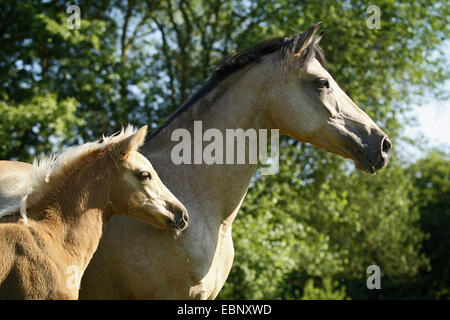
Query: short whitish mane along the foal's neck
[(47, 168)]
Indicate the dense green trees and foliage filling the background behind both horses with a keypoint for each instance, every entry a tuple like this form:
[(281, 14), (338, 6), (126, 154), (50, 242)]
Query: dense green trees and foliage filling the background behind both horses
[(308, 232)]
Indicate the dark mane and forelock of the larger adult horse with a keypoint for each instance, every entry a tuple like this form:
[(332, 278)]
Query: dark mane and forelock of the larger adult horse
[(241, 59)]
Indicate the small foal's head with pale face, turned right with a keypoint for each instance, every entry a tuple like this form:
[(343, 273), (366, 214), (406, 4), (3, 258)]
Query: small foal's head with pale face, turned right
[(138, 192)]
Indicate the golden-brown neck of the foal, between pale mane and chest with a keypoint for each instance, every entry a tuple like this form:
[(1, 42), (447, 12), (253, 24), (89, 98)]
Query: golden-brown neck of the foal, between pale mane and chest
[(75, 212)]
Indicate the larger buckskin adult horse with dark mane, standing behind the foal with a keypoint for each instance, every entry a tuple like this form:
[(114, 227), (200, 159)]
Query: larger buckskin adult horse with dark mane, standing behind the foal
[(278, 84)]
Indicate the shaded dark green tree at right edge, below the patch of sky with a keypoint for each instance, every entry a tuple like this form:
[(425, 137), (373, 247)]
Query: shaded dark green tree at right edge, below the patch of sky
[(431, 178)]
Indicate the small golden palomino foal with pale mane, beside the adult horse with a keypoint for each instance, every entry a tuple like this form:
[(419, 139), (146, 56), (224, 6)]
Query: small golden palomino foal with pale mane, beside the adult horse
[(44, 254)]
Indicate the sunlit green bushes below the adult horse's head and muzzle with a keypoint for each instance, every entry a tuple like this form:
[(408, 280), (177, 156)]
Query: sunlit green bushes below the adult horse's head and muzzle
[(324, 224)]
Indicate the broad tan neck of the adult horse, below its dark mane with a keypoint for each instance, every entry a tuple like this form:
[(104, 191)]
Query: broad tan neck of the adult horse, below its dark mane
[(211, 191)]
